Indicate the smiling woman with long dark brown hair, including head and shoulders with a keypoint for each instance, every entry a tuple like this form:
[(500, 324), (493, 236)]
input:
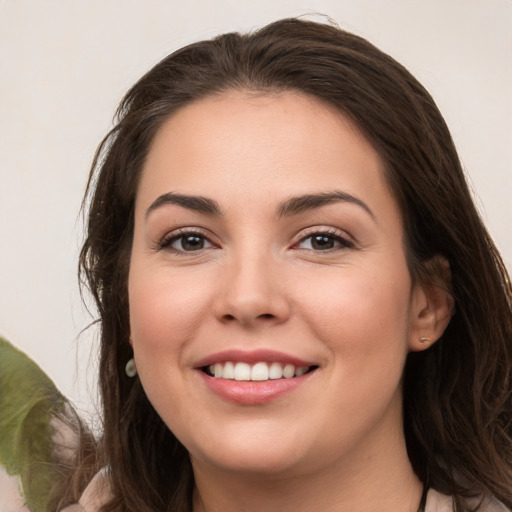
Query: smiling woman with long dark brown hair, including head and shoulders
[(299, 305)]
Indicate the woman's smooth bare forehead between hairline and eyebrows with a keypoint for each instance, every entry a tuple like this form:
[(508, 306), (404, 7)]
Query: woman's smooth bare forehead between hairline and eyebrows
[(260, 146)]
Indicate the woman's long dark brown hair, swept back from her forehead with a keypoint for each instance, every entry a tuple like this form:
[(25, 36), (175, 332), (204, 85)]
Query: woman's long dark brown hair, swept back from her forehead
[(457, 394)]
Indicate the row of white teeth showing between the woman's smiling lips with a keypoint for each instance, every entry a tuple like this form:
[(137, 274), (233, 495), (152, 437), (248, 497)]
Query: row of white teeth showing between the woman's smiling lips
[(261, 371)]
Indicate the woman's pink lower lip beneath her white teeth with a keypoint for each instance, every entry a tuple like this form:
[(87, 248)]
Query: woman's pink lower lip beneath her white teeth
[(253, 392)]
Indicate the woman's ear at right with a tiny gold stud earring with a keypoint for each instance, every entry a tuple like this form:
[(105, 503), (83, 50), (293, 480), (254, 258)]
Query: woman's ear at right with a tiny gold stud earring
[(432, 304)]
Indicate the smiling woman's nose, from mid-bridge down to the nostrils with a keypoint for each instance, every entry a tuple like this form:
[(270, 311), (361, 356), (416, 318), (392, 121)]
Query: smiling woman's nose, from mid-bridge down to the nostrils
[(252, 293)]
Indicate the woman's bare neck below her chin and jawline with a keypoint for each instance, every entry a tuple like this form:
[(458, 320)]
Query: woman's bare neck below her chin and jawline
[(365, 484)]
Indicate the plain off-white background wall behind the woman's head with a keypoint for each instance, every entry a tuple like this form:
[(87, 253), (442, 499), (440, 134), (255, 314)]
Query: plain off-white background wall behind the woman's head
[(65, 64)]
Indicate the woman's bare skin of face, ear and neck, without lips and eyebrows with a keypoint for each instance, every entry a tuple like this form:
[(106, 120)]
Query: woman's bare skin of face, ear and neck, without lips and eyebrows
[(336, 441)]
